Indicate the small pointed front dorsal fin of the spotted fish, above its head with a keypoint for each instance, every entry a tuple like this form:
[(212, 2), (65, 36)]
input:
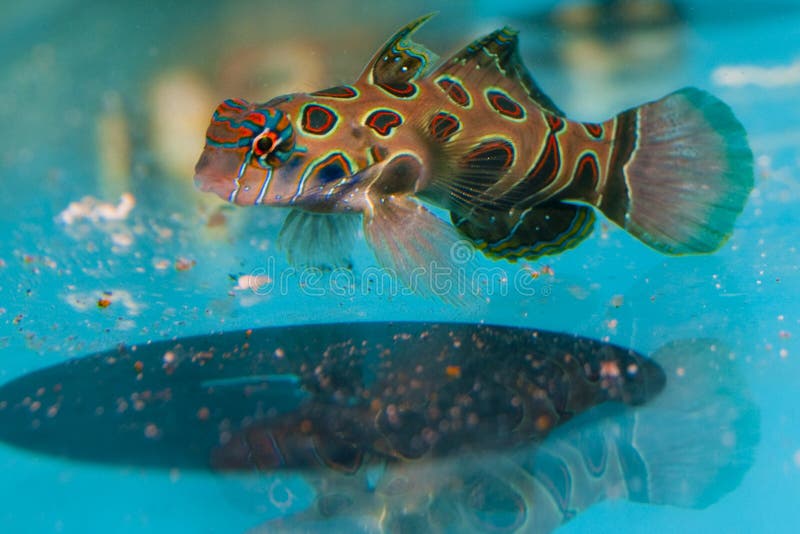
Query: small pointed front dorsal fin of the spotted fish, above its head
[(400, 60)]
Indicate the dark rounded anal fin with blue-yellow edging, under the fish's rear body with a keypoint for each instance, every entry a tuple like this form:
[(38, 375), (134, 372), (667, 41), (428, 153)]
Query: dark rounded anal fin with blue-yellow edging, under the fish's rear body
[(529, 234)]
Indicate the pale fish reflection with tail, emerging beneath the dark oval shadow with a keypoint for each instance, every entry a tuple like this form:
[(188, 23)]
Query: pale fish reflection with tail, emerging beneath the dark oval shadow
[(687, 448)]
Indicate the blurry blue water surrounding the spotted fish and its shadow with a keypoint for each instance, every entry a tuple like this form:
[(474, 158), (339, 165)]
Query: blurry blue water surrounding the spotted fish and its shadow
[(74, 73)]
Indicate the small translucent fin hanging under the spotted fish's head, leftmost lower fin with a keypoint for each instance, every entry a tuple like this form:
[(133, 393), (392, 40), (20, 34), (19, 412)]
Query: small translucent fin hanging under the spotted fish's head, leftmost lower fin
[(323, 240)]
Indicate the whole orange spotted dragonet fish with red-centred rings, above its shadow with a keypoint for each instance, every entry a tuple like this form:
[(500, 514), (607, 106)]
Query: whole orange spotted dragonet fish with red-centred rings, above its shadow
[(477, 137)]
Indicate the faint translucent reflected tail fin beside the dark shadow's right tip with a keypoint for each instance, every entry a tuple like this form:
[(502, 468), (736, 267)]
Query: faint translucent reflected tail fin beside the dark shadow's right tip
[(697, 440)]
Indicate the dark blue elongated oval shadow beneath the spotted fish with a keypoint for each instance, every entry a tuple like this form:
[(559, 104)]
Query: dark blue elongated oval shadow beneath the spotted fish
[(318, 394)]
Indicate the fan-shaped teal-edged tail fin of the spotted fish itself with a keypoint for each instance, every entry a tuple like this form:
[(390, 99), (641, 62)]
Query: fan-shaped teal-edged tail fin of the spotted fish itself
[(682, 173)]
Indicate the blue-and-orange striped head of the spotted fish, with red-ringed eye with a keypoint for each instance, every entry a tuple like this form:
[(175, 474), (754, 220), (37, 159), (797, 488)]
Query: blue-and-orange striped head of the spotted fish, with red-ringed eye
[(284, 152)]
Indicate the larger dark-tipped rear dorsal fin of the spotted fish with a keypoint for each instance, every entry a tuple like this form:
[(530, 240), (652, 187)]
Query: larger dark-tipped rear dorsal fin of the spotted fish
[(495, 59)]
